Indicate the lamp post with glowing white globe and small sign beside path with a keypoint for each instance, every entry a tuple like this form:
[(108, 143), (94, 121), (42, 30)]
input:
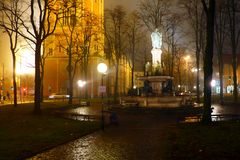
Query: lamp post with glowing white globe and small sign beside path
[(102, 68)]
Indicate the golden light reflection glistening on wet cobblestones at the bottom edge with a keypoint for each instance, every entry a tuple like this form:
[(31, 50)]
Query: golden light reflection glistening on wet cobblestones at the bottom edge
[(89, 147)]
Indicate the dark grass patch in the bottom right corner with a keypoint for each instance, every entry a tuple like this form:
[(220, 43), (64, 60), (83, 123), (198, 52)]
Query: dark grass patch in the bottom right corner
[(198, 141)]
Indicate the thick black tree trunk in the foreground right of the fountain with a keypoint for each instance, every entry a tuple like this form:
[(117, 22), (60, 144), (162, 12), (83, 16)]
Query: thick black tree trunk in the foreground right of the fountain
[(209, 8)]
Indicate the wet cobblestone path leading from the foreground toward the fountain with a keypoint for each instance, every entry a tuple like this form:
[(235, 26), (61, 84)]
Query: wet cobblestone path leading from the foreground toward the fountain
[(137, 137)]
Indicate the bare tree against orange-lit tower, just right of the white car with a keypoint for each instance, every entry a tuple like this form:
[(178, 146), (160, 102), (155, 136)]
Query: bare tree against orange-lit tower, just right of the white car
[(69, 40)]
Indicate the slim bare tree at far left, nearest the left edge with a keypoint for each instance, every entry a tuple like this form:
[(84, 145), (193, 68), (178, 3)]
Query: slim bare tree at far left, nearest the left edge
[(10, 24)]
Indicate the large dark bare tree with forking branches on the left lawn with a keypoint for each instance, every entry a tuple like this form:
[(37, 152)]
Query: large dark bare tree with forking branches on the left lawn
[(38, 23)]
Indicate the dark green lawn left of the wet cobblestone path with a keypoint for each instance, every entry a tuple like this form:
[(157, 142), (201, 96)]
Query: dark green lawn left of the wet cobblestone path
[(23, 134)]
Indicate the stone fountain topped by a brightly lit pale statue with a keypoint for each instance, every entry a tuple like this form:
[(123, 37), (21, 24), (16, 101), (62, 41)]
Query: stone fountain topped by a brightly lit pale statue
[(158, 88)]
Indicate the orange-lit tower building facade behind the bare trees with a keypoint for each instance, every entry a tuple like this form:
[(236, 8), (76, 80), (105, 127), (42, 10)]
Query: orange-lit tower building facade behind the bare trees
[(80, 33)]
